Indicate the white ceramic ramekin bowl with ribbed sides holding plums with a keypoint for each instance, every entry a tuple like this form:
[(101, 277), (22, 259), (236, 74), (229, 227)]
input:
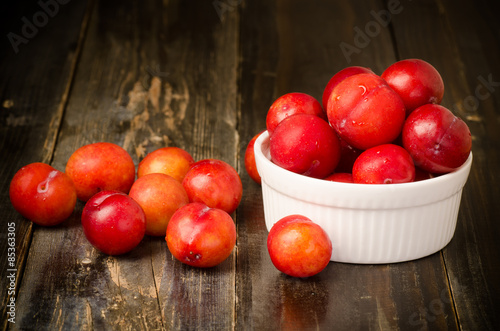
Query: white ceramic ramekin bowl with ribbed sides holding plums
[(366, 223)]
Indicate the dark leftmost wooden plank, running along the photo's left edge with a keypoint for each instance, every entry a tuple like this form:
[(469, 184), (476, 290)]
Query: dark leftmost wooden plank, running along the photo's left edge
[(36, 68)]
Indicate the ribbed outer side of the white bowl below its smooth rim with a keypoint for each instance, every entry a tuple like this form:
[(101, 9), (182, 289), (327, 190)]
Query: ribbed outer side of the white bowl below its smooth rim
[(373, 235)]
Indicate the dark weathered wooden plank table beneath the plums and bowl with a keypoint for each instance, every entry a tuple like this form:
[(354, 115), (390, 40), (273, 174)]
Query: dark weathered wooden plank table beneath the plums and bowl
[(201, 75)]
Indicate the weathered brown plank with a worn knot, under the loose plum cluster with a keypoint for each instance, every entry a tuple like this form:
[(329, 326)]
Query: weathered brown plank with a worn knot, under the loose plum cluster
[(150, 75)]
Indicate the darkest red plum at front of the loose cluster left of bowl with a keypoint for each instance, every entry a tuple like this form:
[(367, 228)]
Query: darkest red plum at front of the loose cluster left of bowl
[(113, 222)]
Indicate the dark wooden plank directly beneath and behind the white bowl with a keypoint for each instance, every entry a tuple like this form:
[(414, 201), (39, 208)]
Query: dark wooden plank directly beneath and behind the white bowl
[(307, 41)]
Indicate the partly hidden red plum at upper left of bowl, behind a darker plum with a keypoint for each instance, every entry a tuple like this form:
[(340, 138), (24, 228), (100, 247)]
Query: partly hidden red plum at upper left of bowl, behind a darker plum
[(290, 104)]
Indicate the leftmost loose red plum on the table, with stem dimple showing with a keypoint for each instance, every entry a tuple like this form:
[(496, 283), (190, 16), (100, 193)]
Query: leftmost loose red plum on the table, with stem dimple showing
[(42, 194)]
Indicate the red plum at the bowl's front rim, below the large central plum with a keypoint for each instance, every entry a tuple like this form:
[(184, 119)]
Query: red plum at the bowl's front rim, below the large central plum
[(384, 164)]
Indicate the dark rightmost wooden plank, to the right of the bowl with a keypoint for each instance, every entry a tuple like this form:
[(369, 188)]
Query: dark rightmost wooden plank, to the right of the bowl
[(461, 49)]
